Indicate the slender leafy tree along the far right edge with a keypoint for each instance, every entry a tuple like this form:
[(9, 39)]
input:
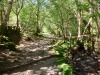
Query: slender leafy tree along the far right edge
[(96, 16)]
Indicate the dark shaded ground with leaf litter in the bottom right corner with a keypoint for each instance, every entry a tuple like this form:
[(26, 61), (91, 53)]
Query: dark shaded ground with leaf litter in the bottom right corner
[(86, 65)]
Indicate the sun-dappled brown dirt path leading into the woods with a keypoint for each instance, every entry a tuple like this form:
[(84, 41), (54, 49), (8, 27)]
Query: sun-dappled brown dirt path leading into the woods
[(35, 59)]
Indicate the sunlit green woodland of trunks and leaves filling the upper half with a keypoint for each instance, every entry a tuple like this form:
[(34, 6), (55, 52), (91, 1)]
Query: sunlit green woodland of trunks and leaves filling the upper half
[(67, 19)]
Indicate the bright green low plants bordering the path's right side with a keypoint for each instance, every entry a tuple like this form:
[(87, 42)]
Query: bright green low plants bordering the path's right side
[(61, 62)]
